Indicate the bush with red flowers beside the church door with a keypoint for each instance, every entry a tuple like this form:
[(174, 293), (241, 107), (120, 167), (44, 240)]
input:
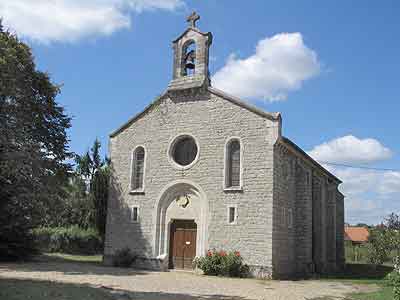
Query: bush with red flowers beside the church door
[(222, 263)]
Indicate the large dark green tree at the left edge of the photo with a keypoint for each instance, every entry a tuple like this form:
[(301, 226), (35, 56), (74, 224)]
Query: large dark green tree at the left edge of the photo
[(33, 145)]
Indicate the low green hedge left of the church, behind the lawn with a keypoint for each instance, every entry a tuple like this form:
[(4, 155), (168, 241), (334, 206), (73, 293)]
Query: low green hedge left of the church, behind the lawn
[(74, 240)]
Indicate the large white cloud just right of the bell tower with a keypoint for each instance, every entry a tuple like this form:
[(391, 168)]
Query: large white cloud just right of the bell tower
[(279, 65)]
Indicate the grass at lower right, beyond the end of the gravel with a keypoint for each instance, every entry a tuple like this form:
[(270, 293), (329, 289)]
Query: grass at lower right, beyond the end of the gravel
[(366, 274)]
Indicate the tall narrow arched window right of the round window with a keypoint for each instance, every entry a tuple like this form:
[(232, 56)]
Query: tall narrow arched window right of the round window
[(232, 164)]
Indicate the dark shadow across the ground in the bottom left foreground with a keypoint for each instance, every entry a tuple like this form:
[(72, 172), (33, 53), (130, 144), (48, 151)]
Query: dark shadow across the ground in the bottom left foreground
[(20, 289)]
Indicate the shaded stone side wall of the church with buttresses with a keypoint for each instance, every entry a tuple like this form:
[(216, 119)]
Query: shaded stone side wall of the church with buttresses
[(315, 240)]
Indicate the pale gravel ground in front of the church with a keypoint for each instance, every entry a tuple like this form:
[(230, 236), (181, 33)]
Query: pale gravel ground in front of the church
[(174, 285)]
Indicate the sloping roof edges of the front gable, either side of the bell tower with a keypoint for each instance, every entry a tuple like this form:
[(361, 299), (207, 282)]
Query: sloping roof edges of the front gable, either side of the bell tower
[(232, 99)]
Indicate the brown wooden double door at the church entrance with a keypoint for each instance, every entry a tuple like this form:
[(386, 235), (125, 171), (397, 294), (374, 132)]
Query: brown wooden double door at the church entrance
[(182, 244)]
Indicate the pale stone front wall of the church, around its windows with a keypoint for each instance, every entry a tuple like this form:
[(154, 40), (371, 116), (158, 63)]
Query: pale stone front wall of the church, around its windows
[(211, 120)]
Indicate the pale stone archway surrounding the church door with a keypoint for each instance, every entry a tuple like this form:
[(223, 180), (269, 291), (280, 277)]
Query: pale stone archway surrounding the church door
[(180, 200)]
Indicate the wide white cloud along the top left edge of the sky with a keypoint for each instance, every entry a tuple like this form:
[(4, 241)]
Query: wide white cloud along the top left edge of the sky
[(69, 20)]
